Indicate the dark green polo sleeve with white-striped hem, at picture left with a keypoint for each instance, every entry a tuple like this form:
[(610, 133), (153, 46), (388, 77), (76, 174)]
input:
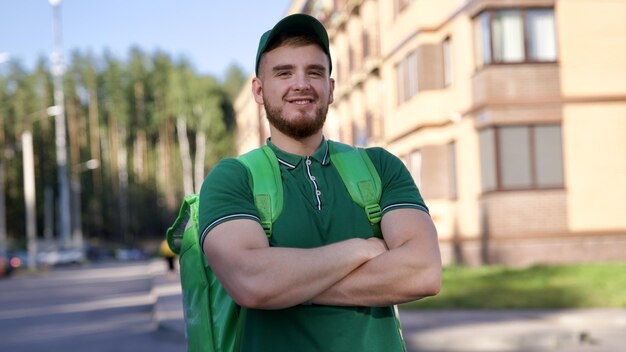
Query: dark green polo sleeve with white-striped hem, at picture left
[(225, 195)]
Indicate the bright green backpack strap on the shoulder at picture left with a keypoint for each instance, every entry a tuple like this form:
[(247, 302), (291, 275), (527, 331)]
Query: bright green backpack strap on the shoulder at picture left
[(267, 185)]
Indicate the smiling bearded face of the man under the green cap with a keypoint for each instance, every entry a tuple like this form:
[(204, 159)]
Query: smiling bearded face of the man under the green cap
[(295, 86)]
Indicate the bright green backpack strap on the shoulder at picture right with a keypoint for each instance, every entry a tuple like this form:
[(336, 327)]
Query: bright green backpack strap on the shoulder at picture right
[(359, 176)]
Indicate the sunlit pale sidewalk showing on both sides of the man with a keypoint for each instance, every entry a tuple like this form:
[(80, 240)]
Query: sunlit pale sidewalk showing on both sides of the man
[(601, 330)]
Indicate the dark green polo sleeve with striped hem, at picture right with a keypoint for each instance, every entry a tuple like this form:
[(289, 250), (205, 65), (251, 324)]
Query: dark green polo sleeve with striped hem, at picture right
[(398, 187)]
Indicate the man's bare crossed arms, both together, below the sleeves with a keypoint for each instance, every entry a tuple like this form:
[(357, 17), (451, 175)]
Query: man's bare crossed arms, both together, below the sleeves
[(357, 272)]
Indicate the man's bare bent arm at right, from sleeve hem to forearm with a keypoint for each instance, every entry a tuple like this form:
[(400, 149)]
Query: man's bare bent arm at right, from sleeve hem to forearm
[(410, 270)]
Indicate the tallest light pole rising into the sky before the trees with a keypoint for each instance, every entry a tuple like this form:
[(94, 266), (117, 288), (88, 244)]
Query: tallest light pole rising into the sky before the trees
[(64, 221)]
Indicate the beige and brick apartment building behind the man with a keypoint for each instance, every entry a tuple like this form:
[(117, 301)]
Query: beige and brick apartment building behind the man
[(510, 115)]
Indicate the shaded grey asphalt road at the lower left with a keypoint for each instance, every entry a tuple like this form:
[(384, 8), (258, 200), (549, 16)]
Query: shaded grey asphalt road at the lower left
[(105, 307)]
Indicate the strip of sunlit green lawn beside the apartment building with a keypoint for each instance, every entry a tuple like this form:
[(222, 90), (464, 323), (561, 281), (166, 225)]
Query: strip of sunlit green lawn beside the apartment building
[(536, 287)]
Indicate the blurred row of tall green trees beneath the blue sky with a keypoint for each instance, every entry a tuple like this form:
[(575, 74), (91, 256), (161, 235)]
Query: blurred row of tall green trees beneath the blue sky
[(154, 124)]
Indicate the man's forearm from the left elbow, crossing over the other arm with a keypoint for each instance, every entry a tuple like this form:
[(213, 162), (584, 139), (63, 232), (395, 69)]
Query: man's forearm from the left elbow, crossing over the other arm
[(272, 278)]
